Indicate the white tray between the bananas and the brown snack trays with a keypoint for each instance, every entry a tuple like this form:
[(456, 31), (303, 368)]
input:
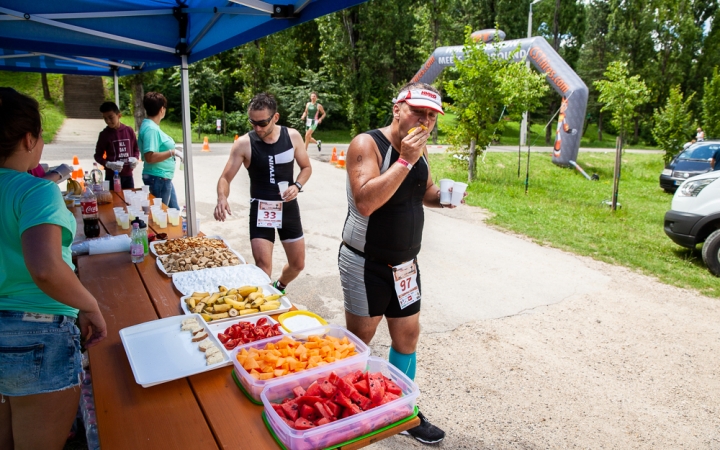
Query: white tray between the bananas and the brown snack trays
[(208, 280)]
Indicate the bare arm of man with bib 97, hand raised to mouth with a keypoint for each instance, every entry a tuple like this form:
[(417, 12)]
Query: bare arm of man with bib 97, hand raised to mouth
[(371, 190)]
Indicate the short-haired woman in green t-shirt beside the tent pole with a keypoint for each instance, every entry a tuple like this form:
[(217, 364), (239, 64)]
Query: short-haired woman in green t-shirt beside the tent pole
[(158, 150)]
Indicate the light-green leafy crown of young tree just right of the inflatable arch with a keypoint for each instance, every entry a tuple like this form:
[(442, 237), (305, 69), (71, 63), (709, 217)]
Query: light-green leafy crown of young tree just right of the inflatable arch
[(621, 94)]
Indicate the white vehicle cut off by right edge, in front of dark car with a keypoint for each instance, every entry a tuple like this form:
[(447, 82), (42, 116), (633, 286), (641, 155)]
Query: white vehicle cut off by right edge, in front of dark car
[(695, 217)]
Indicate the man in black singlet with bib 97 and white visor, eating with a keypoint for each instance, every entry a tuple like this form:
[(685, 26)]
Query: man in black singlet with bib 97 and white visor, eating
[(389, 183)]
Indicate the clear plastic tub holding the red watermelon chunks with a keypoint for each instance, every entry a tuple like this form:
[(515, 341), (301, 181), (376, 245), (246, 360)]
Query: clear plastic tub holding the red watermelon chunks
[(344, 429)]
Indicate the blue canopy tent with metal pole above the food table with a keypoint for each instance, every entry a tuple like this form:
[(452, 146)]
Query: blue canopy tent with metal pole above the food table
[(125, 37)]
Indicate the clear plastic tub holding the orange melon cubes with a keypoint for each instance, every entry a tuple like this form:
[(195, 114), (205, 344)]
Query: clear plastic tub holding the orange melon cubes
[(254, 387)]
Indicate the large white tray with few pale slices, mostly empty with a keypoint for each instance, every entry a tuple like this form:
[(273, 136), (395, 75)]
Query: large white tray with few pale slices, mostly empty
[(159, 351)]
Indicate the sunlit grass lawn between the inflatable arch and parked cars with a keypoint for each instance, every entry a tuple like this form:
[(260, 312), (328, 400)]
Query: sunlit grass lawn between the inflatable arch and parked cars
[(564, 210)]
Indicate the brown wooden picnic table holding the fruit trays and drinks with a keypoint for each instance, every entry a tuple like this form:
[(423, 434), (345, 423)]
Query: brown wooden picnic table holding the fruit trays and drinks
[(203, 411)]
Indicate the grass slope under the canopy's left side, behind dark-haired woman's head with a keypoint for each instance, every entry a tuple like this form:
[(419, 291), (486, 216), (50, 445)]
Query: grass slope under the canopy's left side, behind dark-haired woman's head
[(53, 112)]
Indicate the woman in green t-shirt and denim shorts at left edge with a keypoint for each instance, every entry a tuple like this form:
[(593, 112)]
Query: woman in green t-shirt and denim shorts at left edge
[(40, 296)]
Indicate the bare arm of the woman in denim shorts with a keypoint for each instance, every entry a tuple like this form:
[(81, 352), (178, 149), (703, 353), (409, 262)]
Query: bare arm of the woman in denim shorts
[(42, 251)]
